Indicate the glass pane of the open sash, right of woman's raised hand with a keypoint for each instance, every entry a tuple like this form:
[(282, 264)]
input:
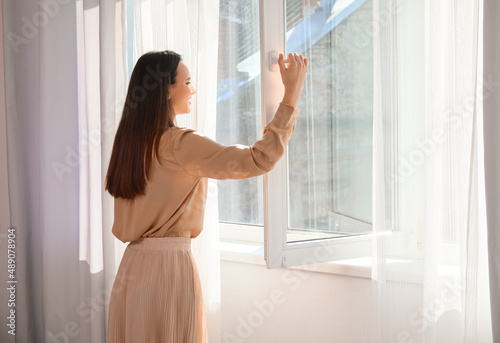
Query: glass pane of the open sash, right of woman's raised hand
[(330, 155)]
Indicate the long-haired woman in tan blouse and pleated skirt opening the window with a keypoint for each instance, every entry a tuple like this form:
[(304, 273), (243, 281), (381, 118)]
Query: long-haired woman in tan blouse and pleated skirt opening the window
[(158, 175)]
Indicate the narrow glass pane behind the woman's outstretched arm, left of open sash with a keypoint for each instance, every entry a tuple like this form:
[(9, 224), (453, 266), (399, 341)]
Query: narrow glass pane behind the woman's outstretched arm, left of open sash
[(238, 104)]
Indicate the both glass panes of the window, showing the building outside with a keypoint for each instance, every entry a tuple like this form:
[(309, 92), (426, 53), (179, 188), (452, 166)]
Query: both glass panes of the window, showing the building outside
[(329, 158)]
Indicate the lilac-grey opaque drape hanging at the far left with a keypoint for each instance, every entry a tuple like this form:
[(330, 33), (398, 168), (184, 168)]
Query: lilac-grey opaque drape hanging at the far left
[(41, 101)]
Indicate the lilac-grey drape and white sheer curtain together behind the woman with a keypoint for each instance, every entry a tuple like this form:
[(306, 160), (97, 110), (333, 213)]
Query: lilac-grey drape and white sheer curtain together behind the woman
[(66, 67)]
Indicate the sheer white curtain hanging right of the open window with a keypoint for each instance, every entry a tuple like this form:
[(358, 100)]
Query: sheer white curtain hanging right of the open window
[(430, 275)]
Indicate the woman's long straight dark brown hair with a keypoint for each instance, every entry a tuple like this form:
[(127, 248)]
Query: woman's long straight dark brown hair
[(147, 113)]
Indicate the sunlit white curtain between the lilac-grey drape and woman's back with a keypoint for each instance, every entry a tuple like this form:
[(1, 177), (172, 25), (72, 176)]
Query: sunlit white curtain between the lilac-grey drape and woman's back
[(100, 31)]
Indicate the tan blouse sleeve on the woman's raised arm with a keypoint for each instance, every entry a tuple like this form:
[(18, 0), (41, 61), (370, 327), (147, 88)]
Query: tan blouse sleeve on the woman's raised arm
[(200, 156)]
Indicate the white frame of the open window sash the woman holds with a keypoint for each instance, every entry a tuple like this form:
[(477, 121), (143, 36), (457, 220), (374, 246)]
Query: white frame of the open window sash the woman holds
[(279, 253)]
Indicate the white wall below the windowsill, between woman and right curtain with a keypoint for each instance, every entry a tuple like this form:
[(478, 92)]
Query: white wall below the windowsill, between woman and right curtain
[(308, 306)]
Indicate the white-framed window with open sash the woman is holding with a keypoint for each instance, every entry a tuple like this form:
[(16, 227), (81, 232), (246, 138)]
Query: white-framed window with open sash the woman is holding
[(316, 204)]
